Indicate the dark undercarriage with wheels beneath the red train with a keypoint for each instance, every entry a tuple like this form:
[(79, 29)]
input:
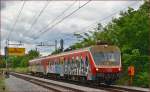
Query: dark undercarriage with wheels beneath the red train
[(107, 78)]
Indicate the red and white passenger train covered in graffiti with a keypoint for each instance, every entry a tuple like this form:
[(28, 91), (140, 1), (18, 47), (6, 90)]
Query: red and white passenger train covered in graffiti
[(100, 63)]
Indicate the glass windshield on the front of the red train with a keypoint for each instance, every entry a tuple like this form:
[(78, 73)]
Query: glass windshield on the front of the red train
[(106, 58)]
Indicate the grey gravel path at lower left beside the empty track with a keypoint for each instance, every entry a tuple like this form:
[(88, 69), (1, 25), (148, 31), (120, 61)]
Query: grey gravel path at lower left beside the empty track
[(14, 84)]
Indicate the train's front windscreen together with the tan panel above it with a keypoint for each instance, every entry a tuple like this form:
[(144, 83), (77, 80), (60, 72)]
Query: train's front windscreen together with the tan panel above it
[(106, 55)]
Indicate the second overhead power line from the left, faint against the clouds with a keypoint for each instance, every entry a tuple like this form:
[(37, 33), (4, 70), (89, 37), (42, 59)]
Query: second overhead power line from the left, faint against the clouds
[(36, 19)]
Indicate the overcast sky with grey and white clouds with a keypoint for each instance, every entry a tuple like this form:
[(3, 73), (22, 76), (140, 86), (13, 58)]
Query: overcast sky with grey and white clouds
[(38, 16)]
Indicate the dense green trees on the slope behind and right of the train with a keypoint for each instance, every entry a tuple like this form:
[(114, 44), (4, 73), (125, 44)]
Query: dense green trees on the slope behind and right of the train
[(130, 32)]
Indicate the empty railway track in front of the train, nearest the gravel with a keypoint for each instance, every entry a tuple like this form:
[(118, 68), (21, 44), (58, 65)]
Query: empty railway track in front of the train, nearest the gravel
[(54, 85)]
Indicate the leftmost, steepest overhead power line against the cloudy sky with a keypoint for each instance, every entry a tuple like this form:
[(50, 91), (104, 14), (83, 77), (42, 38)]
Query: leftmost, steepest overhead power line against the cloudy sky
[(13, 26)]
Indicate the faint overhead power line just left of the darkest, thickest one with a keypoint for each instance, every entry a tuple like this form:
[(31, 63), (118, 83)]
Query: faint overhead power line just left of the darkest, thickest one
[(53, 21)]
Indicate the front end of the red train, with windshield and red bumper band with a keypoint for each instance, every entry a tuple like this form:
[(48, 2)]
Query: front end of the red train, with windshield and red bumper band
[(107, 60)]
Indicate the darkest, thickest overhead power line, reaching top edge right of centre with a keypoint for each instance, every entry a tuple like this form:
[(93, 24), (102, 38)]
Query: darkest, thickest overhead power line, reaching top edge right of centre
[(60, 20)]
